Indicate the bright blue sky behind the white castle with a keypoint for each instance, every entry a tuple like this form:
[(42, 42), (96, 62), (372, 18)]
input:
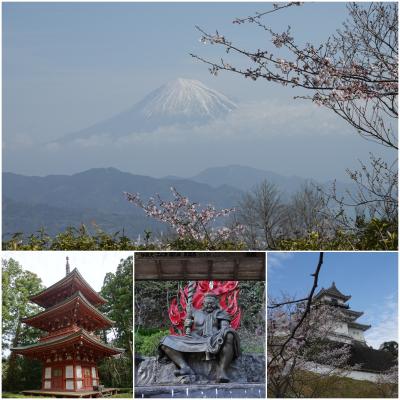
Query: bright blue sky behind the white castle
[(370, 278)]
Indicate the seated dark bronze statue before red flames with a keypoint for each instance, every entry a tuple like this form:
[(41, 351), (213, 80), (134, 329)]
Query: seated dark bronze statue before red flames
[(210, 334)]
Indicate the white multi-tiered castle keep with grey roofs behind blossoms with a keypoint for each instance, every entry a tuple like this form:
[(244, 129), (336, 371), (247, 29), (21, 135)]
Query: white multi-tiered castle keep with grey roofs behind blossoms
[(347, 330)]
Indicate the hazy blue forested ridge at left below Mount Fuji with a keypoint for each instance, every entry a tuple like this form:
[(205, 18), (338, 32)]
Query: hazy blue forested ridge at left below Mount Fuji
[(94, 196)]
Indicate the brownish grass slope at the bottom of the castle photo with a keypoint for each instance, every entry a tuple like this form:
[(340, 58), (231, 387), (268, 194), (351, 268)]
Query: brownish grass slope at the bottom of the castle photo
[(308, 384)]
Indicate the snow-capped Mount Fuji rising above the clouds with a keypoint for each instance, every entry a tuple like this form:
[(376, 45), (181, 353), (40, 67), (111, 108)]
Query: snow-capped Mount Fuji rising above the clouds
[(181, 103)]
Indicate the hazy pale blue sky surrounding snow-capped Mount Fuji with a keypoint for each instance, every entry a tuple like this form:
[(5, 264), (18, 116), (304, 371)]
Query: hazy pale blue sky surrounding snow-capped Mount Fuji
[(69, 65)]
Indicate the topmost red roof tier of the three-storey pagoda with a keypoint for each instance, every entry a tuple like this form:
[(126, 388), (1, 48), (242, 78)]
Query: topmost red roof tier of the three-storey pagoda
[(48, 297)]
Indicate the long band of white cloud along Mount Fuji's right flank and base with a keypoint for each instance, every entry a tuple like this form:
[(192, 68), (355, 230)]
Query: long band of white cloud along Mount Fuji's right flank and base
[(249, 120)]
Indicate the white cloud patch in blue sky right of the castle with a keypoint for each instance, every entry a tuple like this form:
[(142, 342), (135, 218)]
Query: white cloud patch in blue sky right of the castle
[(383, 320)]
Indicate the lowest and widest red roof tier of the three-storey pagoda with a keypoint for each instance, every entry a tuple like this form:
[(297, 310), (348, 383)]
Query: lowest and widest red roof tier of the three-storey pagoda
[(69, 339)]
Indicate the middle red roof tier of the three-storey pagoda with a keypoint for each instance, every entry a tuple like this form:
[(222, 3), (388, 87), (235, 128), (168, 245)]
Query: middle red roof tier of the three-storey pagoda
[(64, 306)]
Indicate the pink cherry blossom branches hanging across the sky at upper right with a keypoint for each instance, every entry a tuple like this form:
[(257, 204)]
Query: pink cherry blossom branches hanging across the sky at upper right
[(354, 73)]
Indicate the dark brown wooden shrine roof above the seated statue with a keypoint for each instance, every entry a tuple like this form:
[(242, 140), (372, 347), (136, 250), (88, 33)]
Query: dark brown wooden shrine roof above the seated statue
[(200, 266)]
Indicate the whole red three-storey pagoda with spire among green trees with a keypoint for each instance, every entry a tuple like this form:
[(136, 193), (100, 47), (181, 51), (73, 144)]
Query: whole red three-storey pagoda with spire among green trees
[(69, 350)]
